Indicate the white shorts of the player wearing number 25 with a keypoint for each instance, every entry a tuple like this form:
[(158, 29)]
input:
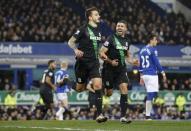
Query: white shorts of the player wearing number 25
[(151, 83)]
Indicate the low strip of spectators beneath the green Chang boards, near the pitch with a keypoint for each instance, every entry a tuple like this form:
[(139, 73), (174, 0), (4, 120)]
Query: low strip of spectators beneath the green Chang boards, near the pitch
[(135, 112)]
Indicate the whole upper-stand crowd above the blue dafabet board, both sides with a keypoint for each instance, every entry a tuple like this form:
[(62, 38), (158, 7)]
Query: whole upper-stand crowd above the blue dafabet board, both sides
[(53, 21)]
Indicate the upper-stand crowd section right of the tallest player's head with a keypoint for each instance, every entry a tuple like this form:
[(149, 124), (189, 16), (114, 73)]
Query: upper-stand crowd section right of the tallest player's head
[(171, 28)]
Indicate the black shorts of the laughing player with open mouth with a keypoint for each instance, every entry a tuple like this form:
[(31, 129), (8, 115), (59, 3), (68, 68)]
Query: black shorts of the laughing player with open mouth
[(114, 77)]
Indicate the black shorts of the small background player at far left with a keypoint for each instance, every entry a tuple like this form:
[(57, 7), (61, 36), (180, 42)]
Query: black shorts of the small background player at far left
[(46, 95)]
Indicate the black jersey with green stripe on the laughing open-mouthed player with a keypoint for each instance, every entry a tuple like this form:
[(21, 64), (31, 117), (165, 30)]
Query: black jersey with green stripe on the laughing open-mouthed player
[(117, 49)]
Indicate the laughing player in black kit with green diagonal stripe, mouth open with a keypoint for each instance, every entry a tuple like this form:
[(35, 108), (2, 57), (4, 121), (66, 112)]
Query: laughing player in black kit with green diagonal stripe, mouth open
[(114, 52)]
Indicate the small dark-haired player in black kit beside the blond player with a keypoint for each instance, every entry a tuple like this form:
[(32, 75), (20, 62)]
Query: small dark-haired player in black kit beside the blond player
[(47, 86)]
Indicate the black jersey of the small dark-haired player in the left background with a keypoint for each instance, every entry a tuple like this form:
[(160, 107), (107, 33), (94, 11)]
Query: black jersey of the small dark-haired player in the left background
[(48, 73)]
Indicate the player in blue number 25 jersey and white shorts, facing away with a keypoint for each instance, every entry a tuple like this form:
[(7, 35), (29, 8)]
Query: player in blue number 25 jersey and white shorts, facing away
[(149, 66)]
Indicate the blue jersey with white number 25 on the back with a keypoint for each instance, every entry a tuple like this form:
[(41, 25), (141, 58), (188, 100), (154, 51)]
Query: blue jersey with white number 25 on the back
[(149, 63)]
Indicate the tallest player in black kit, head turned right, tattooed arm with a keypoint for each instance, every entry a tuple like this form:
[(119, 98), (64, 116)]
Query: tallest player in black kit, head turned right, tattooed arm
[(87, 64)]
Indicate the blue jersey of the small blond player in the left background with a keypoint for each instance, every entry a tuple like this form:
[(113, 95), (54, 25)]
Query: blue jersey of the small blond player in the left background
[(60, 75)]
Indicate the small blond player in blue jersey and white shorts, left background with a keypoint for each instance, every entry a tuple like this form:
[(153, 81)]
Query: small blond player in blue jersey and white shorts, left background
[(62, 79)]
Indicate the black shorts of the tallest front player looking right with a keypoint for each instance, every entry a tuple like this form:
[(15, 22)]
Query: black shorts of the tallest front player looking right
[(85, 71)]
